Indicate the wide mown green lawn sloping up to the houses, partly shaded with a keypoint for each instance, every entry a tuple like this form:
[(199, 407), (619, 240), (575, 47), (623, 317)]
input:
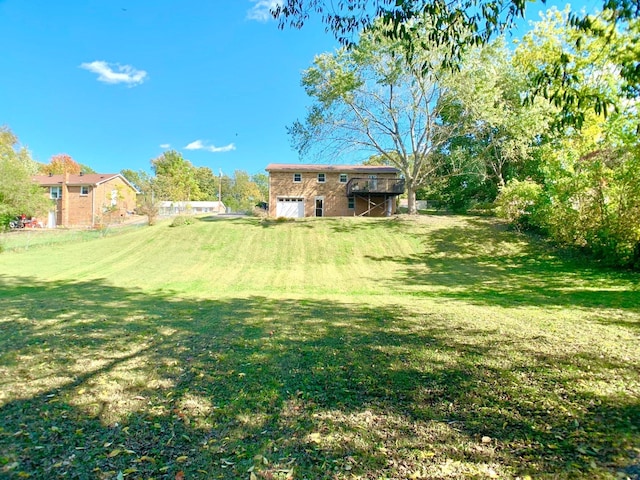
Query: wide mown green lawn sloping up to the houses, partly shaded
[(442, 347)]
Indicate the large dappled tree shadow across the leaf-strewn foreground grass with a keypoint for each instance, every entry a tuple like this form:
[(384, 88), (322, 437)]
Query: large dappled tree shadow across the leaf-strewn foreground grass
[(98, 380)]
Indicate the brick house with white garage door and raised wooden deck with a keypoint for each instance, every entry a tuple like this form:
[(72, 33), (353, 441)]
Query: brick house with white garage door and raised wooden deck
[(333, 190)]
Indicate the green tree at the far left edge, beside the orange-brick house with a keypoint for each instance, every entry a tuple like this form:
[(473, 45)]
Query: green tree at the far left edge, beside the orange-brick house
[(18, 194)]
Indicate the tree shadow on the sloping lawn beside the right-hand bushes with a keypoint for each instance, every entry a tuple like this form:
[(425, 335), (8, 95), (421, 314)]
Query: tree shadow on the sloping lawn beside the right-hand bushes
[(483, 263)]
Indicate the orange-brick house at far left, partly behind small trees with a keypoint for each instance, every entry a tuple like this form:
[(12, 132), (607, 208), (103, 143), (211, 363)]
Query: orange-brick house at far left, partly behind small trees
[(87, 200)]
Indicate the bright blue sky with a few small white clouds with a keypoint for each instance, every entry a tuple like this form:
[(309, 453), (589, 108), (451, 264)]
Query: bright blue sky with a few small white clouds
[(115, 83)]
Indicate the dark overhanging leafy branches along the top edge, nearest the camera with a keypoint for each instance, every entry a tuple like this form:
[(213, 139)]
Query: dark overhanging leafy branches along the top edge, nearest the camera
[(456, 25)]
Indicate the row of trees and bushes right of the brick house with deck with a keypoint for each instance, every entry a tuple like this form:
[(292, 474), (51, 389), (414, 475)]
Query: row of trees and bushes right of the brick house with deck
[(479, 134)]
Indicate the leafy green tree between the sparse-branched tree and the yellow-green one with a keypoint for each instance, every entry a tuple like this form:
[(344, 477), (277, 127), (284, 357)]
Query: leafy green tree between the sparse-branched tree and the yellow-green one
[(489, 95)]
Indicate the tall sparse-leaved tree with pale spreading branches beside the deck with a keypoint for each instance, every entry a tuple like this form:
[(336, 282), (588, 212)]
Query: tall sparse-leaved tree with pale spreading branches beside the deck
[(374, 100)]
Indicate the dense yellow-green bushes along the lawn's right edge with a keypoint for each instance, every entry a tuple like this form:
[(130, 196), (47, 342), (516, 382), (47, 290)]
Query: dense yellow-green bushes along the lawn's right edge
[(589, 197)]
